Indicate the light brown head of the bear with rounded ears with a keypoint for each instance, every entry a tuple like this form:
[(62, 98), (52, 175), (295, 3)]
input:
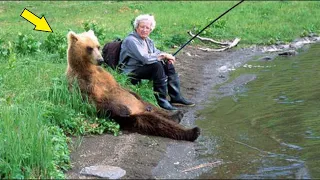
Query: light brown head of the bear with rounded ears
[(84, 48)]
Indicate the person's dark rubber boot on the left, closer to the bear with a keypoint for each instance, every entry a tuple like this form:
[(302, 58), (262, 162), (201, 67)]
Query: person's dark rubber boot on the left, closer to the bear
[(160, 89)]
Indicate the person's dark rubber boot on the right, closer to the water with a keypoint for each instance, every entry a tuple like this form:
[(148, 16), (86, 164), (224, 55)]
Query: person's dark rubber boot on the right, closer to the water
[(174, 92)]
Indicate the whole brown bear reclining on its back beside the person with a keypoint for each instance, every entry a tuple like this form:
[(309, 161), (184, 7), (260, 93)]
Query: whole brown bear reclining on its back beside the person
[(110, 99)]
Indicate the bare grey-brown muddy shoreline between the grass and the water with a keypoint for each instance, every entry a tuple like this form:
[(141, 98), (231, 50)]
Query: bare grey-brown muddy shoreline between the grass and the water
[(148, 157)]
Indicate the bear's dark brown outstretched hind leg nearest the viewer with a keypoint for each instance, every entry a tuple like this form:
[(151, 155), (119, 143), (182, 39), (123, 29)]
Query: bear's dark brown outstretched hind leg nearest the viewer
[(156, 125)]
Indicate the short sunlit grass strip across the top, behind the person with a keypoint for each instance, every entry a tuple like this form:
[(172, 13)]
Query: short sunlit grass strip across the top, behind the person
[(254, 22)]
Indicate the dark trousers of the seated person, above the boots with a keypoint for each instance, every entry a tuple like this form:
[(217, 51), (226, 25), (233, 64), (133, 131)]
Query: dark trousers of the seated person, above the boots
[(157, 72)]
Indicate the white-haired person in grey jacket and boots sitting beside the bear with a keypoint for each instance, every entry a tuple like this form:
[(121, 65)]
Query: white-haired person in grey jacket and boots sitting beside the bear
[(140, 59)]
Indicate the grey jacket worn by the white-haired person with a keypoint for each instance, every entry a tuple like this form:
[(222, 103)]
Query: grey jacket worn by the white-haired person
[(132, 54)]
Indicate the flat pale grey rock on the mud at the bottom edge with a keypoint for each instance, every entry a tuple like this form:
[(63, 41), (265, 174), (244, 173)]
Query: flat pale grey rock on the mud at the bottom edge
[(111, 172)]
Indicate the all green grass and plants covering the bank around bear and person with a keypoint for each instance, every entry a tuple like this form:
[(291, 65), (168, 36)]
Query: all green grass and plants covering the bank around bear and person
[(36, 109)]
